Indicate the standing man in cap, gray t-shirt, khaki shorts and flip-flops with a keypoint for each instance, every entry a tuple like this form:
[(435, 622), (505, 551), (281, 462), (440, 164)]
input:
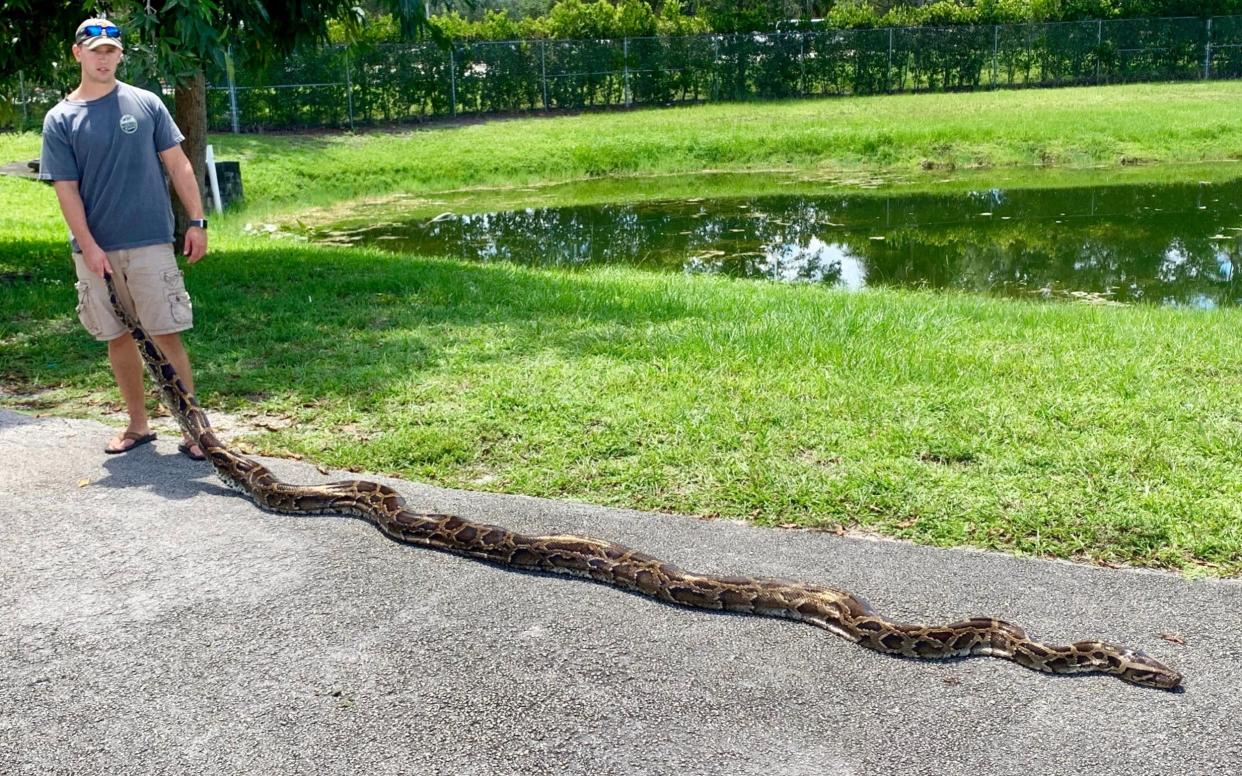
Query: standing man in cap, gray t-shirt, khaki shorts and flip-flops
[(102, 151)]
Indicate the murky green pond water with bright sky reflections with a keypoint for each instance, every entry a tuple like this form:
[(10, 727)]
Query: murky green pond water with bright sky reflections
[(1153, 244)]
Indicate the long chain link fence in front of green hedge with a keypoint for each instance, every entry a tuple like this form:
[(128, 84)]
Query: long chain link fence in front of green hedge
[(340, 88)]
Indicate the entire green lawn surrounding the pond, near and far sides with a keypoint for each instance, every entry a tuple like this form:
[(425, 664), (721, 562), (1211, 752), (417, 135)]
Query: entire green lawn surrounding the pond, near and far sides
[(1058, 430)]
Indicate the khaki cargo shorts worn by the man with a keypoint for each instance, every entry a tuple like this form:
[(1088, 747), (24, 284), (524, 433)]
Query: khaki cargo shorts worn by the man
[(148, 282)]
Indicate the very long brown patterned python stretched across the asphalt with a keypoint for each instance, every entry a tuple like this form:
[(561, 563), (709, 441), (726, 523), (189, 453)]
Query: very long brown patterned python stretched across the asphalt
[(838, 611)]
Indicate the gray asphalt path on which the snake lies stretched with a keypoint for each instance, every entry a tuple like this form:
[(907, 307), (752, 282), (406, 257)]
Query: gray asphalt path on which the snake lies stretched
[(156, 623)]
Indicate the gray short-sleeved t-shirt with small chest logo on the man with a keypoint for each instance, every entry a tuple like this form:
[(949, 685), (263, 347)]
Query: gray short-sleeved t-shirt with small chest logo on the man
[(111, 147)]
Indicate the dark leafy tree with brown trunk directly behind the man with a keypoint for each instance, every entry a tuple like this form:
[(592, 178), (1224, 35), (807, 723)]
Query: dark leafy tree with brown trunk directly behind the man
[(178, 38)]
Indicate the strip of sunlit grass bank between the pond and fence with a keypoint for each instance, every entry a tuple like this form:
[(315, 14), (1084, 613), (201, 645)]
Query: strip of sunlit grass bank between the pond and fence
[(1014, 137)]
